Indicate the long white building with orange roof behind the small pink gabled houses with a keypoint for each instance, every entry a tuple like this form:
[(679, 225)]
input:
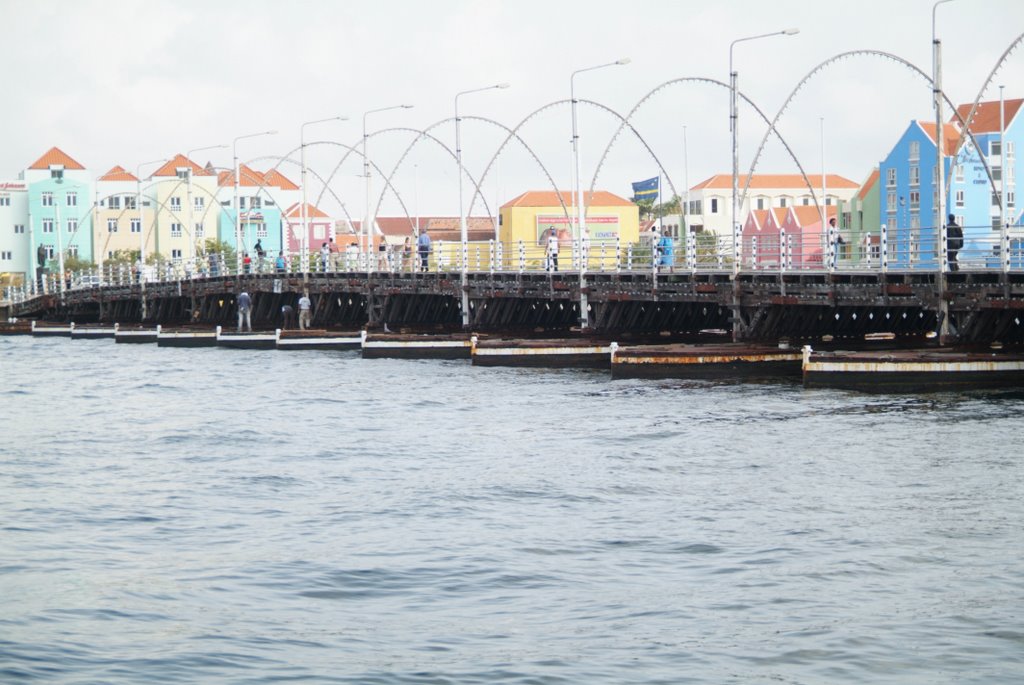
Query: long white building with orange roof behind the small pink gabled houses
[(711, 200)]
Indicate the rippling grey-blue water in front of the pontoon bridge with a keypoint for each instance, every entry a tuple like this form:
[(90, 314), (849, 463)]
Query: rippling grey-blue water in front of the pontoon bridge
[(225, 517)]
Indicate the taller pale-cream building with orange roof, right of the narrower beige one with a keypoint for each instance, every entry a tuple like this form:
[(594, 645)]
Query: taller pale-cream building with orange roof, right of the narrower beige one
[(184, 197)]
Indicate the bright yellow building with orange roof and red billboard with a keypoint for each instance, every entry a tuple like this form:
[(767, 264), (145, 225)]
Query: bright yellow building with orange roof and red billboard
[(528, 221)]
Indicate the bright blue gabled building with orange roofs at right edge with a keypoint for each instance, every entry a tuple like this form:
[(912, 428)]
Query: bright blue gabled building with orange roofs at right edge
[(910, 199)]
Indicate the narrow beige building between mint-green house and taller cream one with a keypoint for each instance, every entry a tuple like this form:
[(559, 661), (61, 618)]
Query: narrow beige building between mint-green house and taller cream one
[(118, 227)]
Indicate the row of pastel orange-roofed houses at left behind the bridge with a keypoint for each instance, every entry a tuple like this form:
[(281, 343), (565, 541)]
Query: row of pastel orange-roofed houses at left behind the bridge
[(57, 205)]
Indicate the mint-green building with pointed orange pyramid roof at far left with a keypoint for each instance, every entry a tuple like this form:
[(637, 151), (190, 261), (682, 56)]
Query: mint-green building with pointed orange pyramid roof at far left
[(60, 215)]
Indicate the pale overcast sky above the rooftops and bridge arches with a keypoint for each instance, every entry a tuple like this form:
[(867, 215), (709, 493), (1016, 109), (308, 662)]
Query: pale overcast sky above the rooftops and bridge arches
[(117, 82)]
